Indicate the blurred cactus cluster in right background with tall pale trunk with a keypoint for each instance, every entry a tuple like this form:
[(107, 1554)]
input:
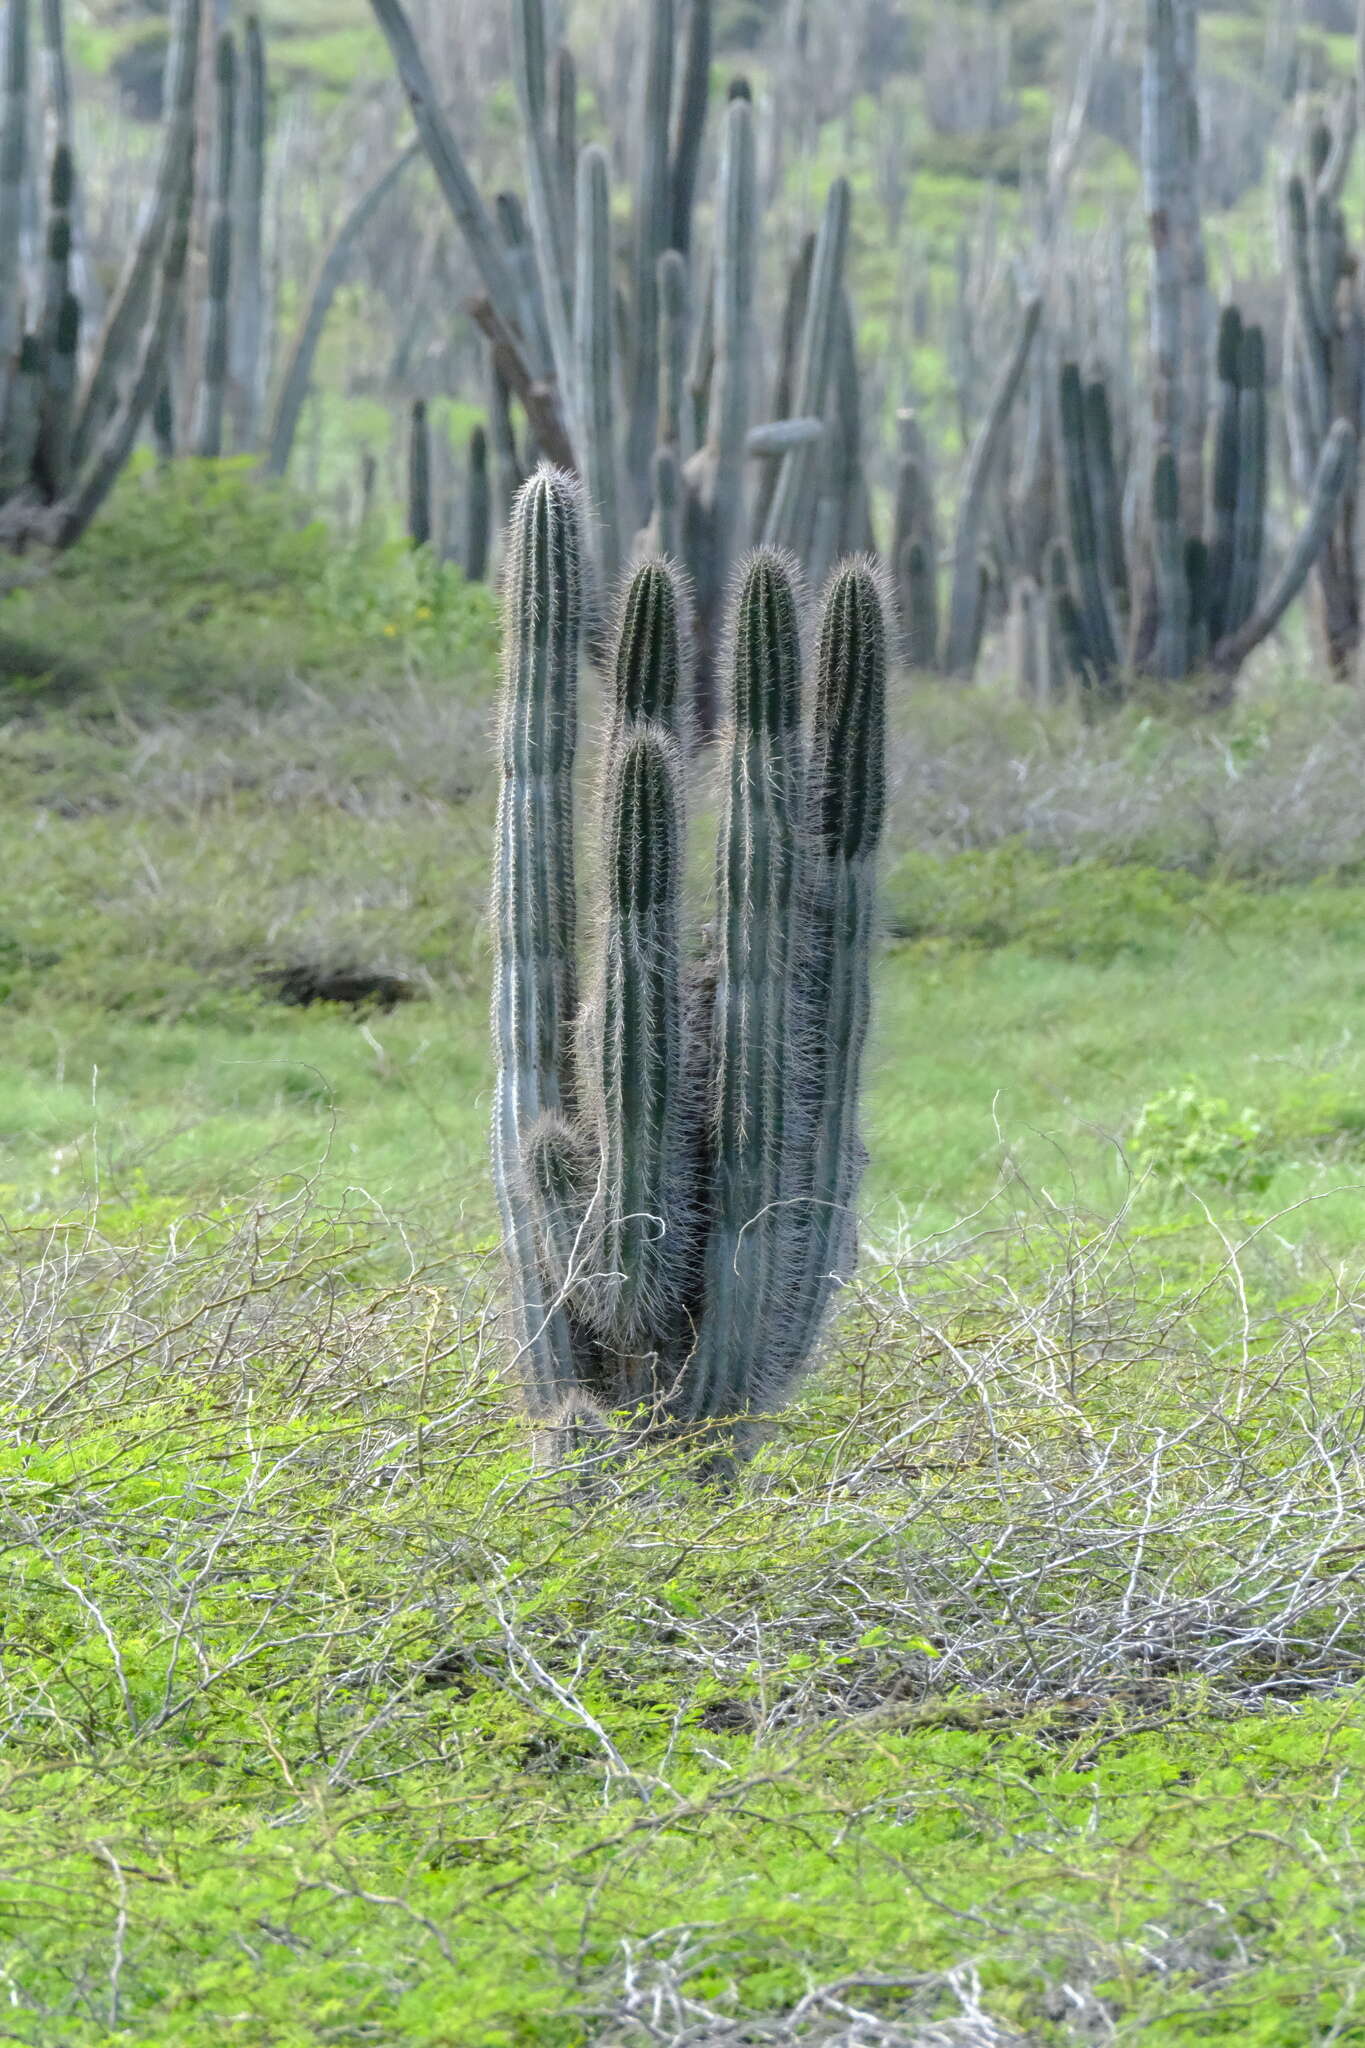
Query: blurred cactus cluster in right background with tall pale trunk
[(1182, 589)]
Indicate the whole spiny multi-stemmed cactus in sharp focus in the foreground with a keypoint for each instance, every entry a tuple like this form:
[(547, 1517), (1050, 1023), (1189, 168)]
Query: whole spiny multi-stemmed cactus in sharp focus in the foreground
[(676, 1152)]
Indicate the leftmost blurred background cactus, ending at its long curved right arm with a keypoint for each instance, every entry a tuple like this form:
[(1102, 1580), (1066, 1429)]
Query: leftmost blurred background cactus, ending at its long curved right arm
[(62, 447)]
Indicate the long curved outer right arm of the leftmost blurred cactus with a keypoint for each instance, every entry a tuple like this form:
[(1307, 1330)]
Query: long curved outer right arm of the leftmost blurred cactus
[(140, 278)]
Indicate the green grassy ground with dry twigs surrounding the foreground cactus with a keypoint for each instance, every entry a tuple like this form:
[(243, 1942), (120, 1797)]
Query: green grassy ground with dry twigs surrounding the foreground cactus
[(1018, 1680)]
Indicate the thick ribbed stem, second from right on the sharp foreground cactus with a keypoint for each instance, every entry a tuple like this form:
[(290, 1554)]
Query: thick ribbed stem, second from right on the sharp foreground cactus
[(748, 1267)]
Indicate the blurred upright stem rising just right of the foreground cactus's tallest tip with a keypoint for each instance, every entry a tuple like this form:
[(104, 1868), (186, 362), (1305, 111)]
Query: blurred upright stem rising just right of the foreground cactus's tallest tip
[(592, 318)]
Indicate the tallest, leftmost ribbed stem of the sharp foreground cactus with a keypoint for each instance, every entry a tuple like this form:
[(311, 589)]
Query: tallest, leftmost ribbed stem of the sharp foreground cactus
[(535, 990)]
